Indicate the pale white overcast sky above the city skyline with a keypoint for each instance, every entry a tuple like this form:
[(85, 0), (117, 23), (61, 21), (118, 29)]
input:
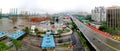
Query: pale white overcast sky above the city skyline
[(54, 6)]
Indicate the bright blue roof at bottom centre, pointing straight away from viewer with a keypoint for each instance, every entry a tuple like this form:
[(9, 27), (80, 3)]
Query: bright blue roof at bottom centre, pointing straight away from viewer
[(48, 41)]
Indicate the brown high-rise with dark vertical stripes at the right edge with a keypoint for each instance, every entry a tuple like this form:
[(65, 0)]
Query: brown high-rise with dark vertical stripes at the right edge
[(113, 16)]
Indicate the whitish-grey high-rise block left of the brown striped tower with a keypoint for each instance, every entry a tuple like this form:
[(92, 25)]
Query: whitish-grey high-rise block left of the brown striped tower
[(99, 14)]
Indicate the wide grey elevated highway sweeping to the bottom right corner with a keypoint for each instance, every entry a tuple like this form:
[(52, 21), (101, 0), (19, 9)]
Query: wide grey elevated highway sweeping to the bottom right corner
[(99, 42)]
